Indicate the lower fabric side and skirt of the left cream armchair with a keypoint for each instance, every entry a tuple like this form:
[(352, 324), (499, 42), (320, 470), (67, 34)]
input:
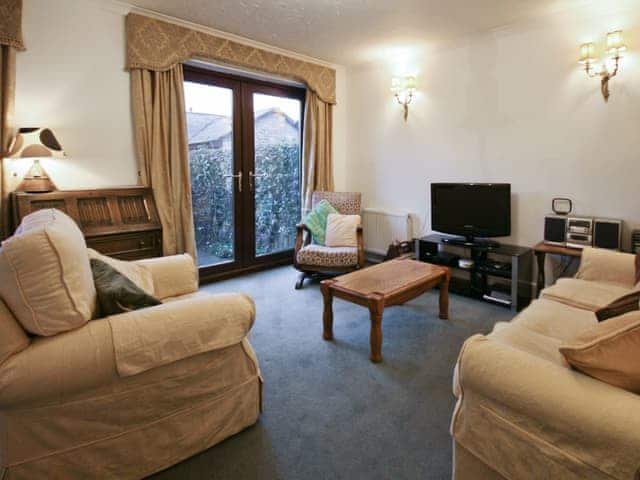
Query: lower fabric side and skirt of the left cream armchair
[(135, 426)]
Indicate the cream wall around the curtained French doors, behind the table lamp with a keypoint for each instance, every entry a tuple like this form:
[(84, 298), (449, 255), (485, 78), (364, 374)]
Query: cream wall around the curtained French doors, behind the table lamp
[(71, 79)]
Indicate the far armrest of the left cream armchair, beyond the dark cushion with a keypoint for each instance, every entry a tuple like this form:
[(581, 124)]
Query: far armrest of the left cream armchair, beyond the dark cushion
[(172, 276)]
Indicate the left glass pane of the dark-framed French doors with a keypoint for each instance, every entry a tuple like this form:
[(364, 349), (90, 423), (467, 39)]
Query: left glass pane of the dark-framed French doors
[(214, 177)]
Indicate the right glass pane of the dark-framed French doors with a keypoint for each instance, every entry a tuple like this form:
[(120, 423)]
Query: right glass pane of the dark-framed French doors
[(275, 178)]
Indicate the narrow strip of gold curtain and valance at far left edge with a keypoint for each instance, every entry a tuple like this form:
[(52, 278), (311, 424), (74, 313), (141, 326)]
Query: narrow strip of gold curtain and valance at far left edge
[(10, 41)]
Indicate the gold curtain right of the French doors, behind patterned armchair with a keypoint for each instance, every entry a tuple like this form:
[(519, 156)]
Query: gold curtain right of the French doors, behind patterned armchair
[(317, 155)]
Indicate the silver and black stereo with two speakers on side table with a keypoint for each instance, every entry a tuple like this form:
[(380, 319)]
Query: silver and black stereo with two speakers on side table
[(580, 232)]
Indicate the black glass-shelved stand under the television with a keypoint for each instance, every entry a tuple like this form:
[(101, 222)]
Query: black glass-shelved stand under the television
[(496, 273)]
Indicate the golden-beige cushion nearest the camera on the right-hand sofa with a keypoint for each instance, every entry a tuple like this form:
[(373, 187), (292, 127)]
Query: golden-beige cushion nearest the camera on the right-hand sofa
[(609, 352)]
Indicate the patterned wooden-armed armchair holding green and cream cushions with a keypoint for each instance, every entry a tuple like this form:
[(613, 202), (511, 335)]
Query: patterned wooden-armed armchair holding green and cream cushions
[(312, 258)]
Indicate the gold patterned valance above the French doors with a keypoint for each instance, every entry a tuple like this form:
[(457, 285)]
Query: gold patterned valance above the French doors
[(156, 45)]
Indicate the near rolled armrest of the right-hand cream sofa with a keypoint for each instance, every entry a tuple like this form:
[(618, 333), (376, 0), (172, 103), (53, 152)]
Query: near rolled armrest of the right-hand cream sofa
[(511, 390)]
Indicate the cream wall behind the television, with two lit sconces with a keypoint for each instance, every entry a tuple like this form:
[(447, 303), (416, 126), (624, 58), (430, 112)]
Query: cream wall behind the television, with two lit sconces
[(510, 106)]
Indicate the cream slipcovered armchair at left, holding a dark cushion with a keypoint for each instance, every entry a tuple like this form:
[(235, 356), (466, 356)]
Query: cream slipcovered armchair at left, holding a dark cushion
[(118, 397)]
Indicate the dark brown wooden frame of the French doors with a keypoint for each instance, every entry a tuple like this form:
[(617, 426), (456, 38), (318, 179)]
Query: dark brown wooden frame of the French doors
[(245, 259)]
